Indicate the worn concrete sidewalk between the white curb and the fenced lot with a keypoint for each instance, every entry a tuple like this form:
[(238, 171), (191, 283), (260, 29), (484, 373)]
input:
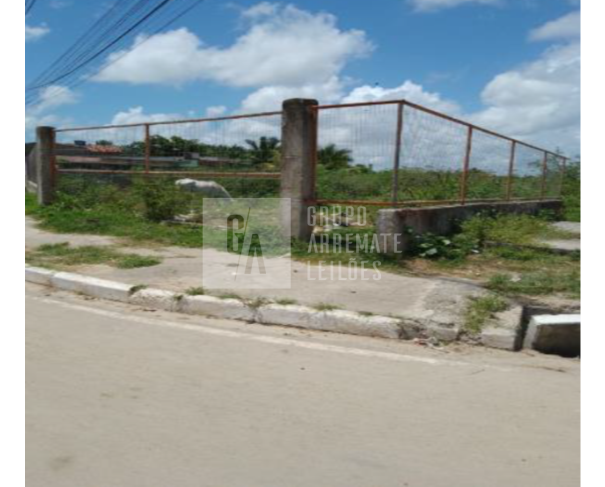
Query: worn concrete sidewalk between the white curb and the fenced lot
[(430, 303)]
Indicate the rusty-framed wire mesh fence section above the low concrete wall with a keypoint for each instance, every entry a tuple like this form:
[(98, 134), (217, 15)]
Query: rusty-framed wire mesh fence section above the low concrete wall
[(397, 153)]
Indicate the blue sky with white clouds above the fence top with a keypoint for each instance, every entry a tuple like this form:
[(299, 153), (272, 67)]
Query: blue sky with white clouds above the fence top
[(512, 66)]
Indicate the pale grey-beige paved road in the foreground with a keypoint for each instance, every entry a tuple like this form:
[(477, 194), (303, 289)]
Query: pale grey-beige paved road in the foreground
[(122, 397)]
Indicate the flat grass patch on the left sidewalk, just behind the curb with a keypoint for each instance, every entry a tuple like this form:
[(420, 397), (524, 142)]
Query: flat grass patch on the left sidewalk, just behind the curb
[(62, 255)]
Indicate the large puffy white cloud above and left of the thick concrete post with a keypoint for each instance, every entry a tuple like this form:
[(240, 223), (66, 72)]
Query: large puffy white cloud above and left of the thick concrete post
[(283, 46)]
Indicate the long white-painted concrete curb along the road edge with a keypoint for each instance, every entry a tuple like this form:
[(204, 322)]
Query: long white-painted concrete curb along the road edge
[(337, 321)]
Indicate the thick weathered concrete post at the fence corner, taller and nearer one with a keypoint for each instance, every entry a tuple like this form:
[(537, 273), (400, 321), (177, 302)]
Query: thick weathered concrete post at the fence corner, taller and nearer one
[(298, 171)]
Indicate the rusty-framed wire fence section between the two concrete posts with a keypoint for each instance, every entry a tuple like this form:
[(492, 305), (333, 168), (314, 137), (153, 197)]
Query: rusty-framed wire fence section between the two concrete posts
[(242, 151)]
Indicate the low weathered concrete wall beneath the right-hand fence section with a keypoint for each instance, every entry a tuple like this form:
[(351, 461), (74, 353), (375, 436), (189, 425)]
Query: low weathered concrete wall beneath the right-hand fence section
[(397, 226)]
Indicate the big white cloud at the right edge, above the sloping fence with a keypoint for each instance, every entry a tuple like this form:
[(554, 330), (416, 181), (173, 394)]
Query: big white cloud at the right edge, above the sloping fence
[(540, 101)]
